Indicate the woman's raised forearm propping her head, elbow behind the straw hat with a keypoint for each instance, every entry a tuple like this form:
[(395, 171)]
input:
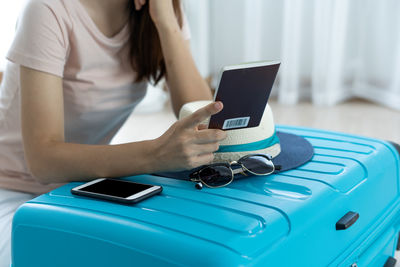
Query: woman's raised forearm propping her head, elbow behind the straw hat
[(183, 78)]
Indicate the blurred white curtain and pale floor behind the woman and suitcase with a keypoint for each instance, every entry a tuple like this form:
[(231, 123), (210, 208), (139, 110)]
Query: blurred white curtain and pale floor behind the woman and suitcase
[(340, 60)]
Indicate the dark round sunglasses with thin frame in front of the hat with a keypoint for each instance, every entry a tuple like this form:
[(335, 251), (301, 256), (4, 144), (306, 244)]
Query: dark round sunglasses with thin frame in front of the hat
[(221, 174)]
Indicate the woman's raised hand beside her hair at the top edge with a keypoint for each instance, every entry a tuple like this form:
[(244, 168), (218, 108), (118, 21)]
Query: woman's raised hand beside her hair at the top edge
[(161, 11)]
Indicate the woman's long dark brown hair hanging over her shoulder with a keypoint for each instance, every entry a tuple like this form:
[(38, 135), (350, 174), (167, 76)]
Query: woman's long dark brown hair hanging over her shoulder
[(145, 47)]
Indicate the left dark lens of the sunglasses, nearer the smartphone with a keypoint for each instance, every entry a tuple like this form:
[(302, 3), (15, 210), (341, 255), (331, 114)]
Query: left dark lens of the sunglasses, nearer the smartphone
[(216, 176)]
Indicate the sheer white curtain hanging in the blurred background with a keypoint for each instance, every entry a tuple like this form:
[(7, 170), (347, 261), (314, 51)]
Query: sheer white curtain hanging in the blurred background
[(331, 51)]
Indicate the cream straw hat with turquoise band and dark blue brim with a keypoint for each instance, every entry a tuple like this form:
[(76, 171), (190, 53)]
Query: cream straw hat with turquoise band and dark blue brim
[(287, 150)]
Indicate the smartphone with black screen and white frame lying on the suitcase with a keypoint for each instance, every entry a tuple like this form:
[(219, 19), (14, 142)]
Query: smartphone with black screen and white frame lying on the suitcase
[(116, 190)]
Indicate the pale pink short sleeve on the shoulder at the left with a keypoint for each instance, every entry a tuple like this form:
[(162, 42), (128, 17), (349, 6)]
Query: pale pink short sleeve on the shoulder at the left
[(41, 39)]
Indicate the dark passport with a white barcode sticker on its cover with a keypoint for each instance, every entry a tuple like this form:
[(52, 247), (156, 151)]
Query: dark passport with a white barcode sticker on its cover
[(244, 90)]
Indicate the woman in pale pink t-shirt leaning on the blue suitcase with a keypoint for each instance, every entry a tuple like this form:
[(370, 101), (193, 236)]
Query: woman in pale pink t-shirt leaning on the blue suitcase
[(76, 70)]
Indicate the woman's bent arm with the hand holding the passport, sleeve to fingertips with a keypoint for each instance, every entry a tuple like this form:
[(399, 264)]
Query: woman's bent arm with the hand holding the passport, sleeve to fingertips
[(52, 160)]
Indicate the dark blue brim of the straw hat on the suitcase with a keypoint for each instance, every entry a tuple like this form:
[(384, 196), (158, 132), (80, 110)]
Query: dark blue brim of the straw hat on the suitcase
[(295, 151)]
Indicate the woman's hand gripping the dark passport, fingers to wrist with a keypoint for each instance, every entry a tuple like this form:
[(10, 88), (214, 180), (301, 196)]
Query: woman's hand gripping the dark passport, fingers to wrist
[(187, 144)]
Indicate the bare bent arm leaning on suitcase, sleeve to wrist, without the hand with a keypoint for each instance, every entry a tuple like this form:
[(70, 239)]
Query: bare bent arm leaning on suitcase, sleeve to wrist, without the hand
[(49, 158)]
